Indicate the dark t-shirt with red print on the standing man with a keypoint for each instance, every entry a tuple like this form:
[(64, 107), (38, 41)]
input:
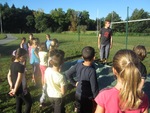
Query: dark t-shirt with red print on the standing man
[(105, 35)]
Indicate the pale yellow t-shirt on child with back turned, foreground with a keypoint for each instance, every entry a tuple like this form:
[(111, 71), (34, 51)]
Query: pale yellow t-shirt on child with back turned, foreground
[(54, 81)]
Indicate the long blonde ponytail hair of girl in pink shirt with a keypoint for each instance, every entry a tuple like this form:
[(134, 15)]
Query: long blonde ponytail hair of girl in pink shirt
[(127, 66)]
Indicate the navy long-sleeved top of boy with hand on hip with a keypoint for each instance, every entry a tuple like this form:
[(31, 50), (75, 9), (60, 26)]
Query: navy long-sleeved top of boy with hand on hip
[(87, 81)]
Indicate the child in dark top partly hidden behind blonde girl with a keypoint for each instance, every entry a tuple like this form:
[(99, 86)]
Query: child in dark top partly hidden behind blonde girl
[(140, 50)]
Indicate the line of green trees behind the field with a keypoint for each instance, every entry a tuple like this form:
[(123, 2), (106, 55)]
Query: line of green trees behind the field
[(25, 20)]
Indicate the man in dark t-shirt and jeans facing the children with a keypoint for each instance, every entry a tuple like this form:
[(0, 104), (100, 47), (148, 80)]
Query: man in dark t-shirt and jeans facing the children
[(105, 41)]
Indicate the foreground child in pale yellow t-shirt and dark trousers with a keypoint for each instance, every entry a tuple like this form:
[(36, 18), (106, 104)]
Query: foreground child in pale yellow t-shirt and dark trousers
[(55, 81)]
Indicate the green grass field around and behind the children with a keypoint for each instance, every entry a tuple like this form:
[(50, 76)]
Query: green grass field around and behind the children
[(72, 48)]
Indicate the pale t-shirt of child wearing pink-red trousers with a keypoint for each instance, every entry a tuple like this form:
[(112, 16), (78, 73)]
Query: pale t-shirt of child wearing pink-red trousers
[(43, 58)]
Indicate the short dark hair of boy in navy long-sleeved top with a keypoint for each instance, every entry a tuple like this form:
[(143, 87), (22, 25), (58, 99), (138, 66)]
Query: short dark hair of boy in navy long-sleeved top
[(88, 53)]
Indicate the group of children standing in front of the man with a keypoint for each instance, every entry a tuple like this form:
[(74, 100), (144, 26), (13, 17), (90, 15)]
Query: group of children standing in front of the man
[(125, 97)]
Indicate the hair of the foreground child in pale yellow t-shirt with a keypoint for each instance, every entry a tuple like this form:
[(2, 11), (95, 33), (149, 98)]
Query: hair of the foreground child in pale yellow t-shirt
[(57, 57)]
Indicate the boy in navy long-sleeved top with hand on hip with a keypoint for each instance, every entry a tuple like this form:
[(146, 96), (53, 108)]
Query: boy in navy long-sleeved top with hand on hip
[(86, 85)]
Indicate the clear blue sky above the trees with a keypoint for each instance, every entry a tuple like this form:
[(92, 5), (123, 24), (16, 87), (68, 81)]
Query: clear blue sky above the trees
[(96, 8)]
